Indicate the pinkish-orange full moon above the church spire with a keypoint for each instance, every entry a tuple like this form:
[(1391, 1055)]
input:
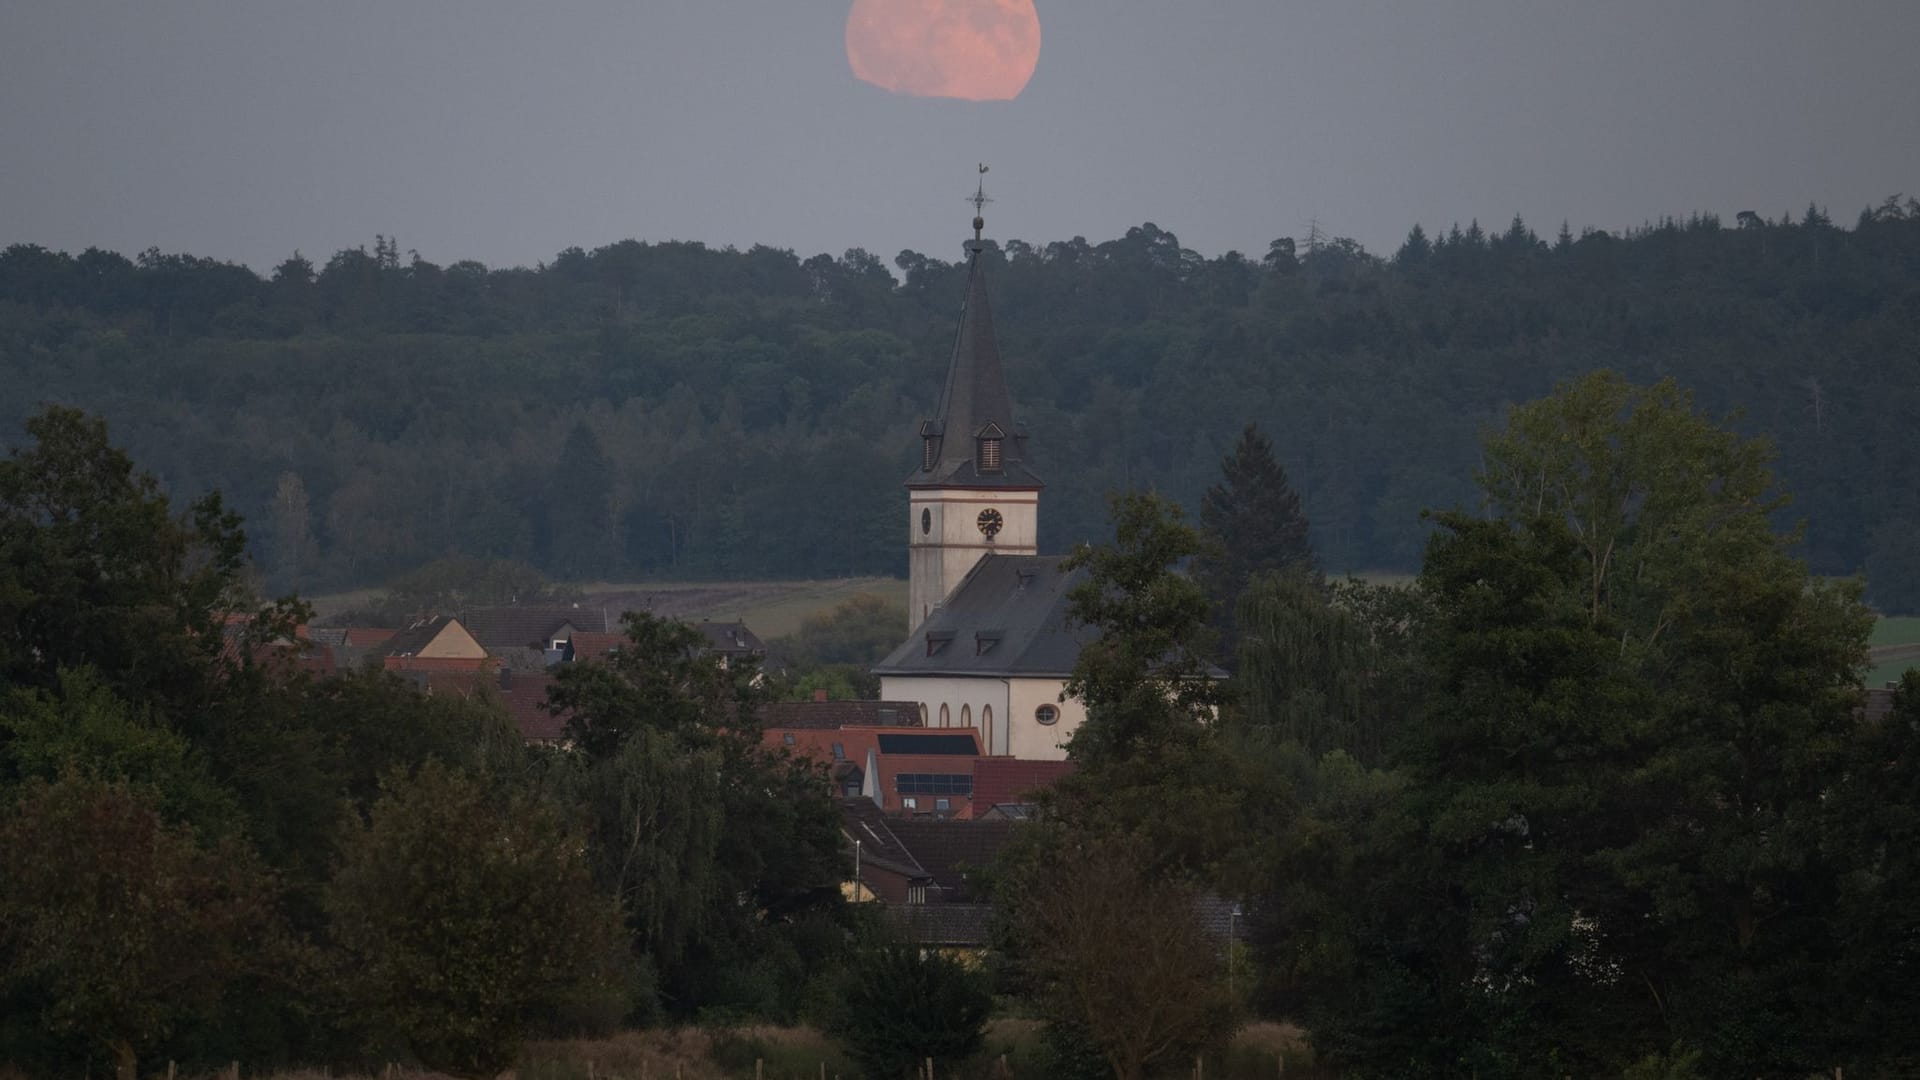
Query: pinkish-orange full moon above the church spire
[(978, 51)]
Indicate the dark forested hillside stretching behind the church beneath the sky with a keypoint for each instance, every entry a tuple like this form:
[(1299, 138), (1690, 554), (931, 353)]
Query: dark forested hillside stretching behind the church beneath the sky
[(671, 410)]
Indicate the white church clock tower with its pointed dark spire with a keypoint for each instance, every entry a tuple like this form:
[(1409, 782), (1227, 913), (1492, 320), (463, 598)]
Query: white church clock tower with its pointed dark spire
[(972, 493)]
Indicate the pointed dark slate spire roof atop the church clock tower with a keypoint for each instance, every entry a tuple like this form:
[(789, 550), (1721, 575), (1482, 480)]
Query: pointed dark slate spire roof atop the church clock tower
[(972, 403)]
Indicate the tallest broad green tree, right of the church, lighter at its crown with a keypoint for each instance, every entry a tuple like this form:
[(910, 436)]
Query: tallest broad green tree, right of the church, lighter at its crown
[(1643, 702)]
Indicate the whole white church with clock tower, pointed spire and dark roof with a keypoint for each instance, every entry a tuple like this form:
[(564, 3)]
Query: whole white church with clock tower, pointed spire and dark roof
[(992, 645)]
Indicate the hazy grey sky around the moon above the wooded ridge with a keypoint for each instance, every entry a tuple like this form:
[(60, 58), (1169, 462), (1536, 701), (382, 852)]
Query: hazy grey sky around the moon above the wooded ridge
[(506, 132)]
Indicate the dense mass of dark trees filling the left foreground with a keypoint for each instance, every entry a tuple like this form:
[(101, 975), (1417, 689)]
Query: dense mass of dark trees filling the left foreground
[(210, 854)]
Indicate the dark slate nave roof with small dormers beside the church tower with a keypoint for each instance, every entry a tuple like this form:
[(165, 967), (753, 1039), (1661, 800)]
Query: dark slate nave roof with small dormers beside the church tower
[(1009, 616)]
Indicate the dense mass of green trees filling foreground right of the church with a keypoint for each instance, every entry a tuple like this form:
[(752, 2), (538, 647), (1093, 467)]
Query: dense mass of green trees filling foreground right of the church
[(1596, 795)]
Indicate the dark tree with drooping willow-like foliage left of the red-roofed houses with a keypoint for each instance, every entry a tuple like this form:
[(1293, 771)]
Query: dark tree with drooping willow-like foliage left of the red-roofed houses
[(725, 856)]
